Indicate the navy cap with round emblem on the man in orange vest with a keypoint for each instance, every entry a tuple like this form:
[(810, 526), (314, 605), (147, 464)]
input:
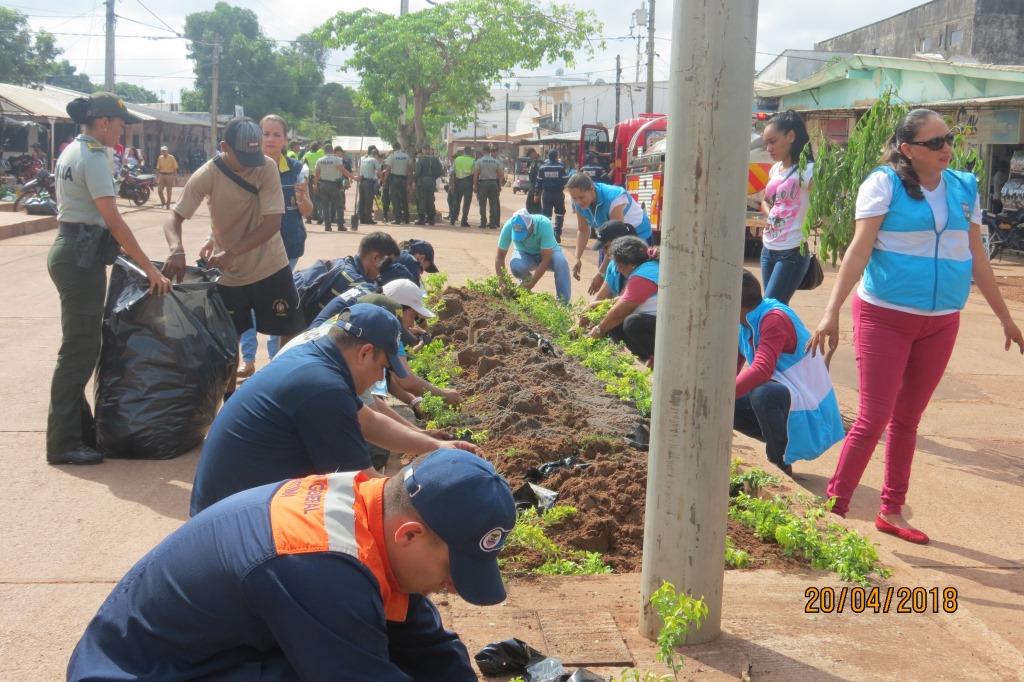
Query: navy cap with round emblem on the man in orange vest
[(462, 499)]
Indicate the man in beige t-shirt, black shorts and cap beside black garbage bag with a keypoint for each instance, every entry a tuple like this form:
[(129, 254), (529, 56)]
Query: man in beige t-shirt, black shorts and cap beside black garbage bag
[(246, 206)]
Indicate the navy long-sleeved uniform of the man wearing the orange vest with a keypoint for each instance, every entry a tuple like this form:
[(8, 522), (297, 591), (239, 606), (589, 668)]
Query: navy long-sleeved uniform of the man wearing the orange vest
[(217, 602)]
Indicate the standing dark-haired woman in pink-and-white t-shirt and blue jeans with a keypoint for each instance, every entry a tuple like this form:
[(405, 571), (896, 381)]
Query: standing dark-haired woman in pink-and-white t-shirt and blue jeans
[(787, 197)]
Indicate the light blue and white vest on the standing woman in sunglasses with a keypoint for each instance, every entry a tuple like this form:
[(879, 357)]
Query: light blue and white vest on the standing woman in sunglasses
[(914, 265)]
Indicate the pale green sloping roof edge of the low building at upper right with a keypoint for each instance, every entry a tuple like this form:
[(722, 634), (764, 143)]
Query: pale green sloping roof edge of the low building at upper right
[(838, 72)]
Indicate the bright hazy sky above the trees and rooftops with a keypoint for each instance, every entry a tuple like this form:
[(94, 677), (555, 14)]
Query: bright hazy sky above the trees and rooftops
[(162, 66)]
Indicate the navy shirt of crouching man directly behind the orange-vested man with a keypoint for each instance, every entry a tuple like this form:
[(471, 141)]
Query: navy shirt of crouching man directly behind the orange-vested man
[(294, 418)]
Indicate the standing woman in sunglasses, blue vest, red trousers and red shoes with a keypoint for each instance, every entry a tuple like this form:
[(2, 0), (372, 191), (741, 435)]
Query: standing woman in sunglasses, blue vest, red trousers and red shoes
[(918, 244)]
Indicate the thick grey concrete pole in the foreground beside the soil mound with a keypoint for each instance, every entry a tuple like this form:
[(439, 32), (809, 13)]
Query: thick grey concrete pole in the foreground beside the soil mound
[(711, 90)]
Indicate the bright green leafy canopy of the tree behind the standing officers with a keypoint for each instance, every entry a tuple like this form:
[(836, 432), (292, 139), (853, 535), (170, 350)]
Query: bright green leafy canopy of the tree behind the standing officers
[(440, 63)]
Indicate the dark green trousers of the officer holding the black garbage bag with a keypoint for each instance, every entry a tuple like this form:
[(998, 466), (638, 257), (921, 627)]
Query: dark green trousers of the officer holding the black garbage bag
[(70, 421)]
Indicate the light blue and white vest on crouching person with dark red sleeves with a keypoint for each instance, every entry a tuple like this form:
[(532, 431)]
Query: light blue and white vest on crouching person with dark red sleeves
[(815, 424)]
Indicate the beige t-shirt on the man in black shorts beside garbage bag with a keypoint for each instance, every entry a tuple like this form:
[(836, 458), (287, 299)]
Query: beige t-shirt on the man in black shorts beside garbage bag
[(235, 214)]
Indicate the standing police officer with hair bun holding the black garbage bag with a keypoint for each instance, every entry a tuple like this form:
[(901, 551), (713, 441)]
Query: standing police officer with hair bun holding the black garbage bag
[(91, 235)]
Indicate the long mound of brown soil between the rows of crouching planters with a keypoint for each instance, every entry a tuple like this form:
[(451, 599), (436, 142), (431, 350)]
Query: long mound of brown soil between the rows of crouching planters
[(538, 408)]
